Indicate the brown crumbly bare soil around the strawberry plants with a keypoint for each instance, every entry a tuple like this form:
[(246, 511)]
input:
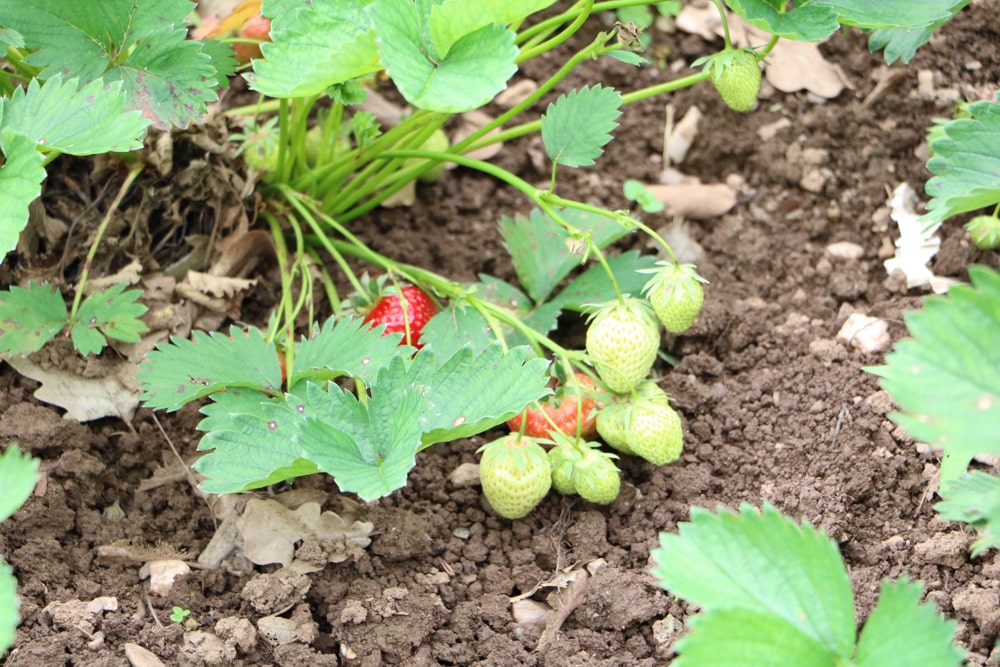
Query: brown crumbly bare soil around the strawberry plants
[(775, 408)]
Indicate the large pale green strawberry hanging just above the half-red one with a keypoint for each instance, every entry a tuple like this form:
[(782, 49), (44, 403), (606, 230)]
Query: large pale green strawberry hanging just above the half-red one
[(622, 341)]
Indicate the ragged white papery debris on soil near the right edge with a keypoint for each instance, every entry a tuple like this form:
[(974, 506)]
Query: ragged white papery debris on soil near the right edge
[(917, 243)]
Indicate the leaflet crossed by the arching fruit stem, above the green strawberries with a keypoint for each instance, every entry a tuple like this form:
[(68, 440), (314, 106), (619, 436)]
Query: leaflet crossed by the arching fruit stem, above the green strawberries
[(540, 248)]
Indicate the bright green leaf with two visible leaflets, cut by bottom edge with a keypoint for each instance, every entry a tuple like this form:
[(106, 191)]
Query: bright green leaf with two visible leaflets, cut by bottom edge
[(774, 592)]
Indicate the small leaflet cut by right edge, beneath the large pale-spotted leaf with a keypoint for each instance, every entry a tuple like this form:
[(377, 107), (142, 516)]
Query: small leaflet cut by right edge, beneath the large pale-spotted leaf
[(974, 498)]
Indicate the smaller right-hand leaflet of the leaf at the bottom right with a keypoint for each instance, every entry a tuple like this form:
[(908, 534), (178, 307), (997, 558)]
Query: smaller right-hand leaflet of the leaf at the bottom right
[(900, 632)]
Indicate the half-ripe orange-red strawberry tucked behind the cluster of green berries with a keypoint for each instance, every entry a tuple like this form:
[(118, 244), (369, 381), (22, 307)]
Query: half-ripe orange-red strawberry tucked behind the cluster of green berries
[(571, 409)]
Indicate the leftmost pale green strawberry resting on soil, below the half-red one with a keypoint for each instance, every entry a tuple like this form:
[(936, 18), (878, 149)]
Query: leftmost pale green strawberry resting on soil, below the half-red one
[(515, 474)]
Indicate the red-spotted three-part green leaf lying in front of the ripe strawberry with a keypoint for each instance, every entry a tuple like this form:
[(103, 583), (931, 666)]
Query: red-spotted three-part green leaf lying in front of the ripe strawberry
[(367, 441)]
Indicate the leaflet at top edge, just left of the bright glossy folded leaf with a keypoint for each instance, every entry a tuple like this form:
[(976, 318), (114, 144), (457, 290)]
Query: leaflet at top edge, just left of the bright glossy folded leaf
[(314, 46)]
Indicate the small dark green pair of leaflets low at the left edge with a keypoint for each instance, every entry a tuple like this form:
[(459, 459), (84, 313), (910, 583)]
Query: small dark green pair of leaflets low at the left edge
[(32, 316)]
